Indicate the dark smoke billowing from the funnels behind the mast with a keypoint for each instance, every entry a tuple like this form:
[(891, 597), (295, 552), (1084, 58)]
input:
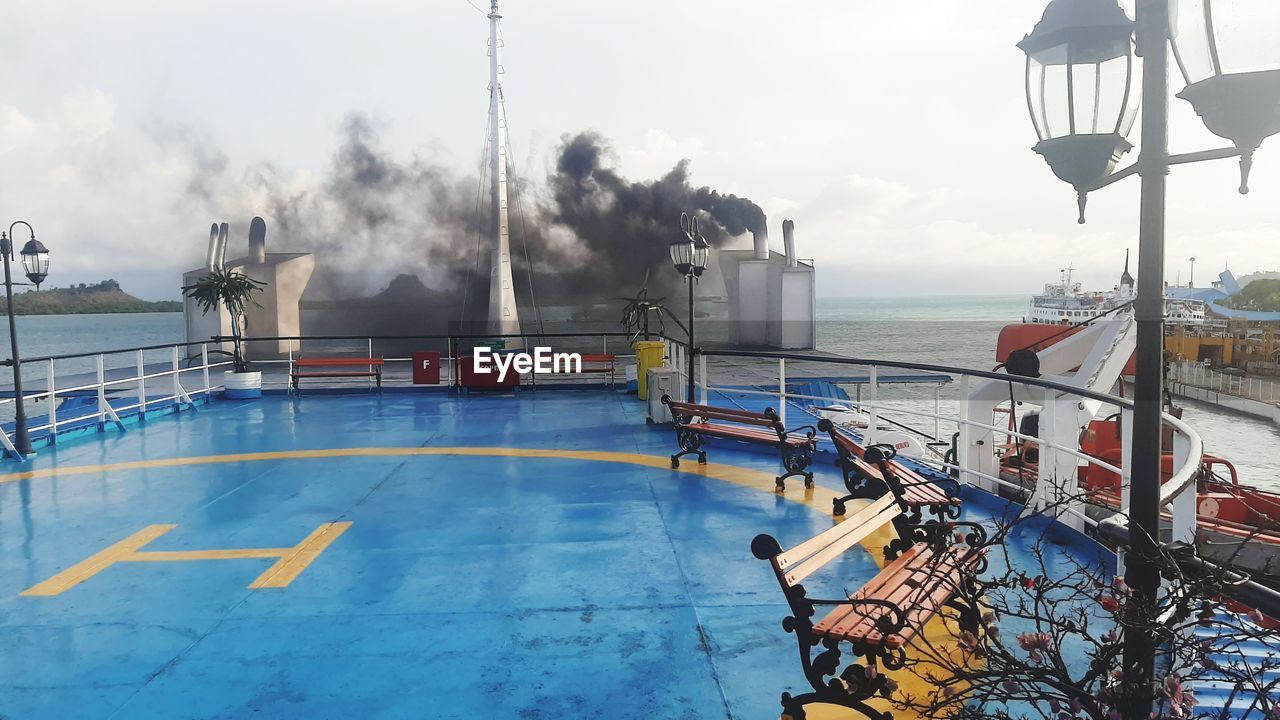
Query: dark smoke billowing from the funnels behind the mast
[(589, 234)]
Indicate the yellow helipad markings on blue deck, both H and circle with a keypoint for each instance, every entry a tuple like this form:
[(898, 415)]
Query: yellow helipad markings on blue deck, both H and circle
[(300, 557)]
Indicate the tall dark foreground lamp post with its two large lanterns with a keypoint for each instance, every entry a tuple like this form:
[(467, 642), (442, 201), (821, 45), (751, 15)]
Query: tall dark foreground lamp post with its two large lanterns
[(1077, 39)]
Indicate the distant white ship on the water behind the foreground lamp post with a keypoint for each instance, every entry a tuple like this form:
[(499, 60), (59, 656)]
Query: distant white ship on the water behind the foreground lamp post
[(1066, 303)]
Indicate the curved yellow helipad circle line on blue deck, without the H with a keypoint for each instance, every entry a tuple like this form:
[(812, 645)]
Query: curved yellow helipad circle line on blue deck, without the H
[(819, 499)]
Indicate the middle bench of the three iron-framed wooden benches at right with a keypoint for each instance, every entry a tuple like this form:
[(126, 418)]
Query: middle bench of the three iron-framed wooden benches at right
[(867, 479)]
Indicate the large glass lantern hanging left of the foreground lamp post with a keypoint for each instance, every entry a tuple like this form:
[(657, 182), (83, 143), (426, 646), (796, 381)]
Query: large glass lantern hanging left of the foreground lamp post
[(1081, 89)]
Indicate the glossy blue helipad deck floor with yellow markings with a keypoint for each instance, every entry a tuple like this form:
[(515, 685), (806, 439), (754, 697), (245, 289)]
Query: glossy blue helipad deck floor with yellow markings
[(405, 555)]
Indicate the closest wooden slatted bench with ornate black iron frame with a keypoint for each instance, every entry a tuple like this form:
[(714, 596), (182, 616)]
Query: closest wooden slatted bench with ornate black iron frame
[(926, 571)]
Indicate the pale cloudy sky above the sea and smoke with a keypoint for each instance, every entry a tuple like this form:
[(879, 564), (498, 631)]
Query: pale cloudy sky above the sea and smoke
[(895, 135)]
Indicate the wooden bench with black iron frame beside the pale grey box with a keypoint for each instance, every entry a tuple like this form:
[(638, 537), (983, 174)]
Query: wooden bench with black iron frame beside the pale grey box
[(694, 422)]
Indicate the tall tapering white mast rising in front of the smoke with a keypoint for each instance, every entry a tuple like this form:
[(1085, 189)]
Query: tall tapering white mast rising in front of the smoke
[(504, 315)]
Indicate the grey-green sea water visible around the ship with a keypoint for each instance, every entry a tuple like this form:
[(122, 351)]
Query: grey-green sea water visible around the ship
[(944, 331)]
